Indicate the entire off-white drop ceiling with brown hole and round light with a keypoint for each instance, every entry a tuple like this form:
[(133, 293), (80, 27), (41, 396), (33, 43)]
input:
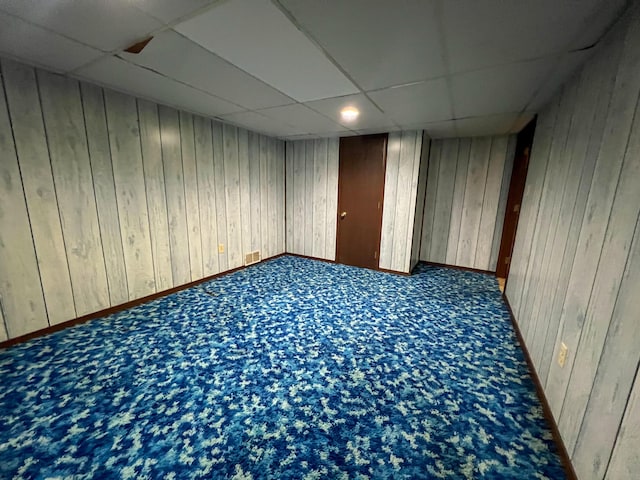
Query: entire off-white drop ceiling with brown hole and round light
[(286, 67)]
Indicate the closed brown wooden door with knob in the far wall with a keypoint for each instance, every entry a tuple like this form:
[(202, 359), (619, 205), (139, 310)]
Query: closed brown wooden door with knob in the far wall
[(360, 195)]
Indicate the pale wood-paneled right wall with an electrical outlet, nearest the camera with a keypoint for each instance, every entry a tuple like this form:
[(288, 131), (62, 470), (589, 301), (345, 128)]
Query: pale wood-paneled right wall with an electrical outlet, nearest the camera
[(576, 266)]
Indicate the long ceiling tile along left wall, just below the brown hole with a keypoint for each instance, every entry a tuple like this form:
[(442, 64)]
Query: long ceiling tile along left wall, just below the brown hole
[(125, 77)]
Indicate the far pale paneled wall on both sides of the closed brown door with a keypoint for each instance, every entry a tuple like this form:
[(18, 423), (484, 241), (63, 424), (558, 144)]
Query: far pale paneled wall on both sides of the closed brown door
[(312, 198)]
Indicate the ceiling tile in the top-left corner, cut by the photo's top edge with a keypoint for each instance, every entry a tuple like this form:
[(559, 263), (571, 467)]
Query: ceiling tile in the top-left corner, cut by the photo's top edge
[(107, 25)]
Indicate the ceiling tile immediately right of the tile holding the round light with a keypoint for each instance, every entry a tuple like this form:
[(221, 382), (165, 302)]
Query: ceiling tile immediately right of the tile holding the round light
[(419, 103)]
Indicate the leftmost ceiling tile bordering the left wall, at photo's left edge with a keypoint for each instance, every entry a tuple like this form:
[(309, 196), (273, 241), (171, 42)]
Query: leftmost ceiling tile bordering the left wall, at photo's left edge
[(34, 45)]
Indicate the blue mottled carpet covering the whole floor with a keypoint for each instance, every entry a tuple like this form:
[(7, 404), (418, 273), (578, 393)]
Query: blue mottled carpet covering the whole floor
[(291, 369)]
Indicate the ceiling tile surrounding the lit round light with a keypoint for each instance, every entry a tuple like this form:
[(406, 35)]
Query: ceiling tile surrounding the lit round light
[(370, 116)]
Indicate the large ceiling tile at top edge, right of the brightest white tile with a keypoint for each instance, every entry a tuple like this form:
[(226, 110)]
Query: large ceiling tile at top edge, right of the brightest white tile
[(379, 43)]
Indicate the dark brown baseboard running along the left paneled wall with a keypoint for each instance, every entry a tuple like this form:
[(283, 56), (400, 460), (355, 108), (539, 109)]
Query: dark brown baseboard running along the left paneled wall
[(123, 306)]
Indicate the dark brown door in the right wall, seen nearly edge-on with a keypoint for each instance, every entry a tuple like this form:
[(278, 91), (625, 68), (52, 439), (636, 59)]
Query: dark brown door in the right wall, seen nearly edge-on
[(514, 199)]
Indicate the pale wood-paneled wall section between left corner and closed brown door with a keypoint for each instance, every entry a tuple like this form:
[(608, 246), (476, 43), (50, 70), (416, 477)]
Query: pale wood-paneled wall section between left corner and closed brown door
[(312, 197)]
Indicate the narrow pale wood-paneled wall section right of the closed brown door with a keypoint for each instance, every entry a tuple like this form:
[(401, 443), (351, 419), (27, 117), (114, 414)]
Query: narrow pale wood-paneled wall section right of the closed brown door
[(400, 193)]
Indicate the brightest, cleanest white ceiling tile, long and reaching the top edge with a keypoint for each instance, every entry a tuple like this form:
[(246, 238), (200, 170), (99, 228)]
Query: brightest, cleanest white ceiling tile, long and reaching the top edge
[(258, 38)]
